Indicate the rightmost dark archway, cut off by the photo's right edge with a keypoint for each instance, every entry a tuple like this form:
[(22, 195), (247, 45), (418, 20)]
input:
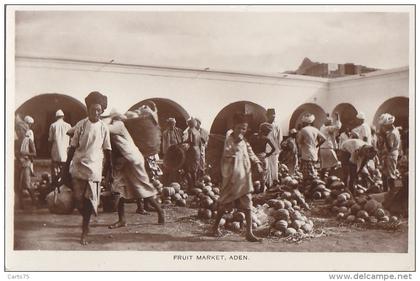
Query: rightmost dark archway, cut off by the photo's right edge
[(398, 107)]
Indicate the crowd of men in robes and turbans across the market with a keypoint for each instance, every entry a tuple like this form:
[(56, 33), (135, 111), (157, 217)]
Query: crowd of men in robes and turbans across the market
[(94, 149)]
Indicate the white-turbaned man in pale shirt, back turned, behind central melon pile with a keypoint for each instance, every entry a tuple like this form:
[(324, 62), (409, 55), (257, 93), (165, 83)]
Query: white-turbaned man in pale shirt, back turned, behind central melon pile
[(309, 139)]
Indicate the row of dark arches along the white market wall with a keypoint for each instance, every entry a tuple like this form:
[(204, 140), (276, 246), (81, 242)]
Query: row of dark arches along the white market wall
[(43, 108)]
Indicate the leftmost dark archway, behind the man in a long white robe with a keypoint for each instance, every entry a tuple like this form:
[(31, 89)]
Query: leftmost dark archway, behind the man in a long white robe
[(43, 108)]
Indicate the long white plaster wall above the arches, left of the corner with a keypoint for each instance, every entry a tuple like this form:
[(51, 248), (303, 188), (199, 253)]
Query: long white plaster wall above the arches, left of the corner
[(202, 94)]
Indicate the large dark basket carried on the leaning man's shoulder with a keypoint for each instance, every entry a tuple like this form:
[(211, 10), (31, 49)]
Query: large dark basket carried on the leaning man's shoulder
[(146, 134)]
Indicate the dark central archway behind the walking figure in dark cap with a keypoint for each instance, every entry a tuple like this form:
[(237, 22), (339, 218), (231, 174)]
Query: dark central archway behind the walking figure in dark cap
[(222, 123)]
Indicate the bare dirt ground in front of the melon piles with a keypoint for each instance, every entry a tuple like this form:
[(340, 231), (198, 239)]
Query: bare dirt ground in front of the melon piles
[(38, 229)]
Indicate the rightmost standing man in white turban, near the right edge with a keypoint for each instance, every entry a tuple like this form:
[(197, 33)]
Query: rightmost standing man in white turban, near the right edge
[(389, 149)]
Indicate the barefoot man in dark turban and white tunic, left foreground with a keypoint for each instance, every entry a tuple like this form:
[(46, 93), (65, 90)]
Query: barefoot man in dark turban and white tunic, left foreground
[(89, 144)]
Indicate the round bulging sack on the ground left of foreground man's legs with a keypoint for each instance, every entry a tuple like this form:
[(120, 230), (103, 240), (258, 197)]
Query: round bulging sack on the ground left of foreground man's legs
[(60, 201)]
